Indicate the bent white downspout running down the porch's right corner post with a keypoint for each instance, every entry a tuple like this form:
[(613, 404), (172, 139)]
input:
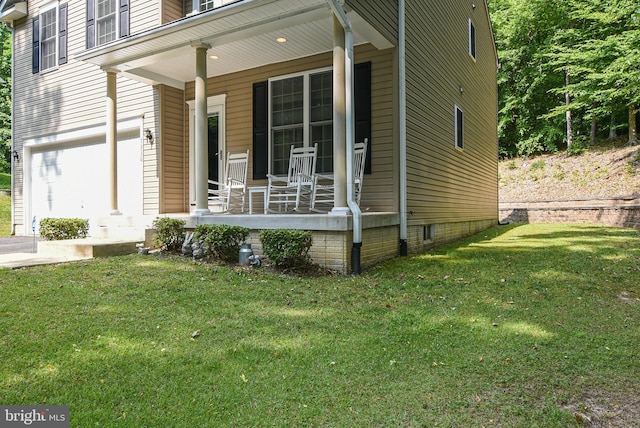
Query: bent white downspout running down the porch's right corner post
[(341, 15)]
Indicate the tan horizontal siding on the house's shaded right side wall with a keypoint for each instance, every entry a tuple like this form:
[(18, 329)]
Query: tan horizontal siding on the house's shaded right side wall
[(446, 184)]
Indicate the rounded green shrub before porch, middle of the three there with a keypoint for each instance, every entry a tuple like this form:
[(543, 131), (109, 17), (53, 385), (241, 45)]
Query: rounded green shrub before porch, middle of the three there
[(220, 241)]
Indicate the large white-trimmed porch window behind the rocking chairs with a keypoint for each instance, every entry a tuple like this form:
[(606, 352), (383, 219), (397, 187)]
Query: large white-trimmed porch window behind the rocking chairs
[(301, 114)]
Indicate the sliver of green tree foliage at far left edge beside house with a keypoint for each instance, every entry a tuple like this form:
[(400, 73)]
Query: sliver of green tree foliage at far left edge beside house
[(5, 99)]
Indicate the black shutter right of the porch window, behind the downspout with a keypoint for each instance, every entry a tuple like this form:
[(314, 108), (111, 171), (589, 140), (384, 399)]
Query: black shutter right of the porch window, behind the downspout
[(362, 95)]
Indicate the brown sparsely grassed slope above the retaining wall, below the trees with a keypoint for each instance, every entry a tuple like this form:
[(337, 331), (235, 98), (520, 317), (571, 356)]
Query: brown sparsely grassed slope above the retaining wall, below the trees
[(600, 172)]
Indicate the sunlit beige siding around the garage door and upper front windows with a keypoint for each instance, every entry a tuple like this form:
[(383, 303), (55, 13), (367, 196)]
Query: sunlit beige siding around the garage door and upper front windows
[(72, 96)]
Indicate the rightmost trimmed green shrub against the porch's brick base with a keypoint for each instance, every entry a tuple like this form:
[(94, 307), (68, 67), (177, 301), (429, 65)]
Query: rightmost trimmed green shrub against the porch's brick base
[(287, 248)]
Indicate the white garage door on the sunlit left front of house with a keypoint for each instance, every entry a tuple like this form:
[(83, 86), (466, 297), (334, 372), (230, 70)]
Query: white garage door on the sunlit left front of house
[(73, 181)]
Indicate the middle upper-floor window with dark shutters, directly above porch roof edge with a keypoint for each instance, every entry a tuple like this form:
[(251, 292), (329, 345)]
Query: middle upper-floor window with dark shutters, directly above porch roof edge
[(107, 20)]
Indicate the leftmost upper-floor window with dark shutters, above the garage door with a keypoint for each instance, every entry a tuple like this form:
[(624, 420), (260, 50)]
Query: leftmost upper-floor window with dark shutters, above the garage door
[(49, 37)]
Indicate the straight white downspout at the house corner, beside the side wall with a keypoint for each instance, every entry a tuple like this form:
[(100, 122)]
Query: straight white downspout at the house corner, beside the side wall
[(402, 77)]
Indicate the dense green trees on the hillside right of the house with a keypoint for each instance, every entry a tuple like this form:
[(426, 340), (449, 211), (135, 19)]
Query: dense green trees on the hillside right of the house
[(539, 43)]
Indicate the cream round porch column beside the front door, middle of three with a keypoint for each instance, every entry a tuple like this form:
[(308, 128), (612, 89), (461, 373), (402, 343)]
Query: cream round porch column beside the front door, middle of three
[(201, 142)]
